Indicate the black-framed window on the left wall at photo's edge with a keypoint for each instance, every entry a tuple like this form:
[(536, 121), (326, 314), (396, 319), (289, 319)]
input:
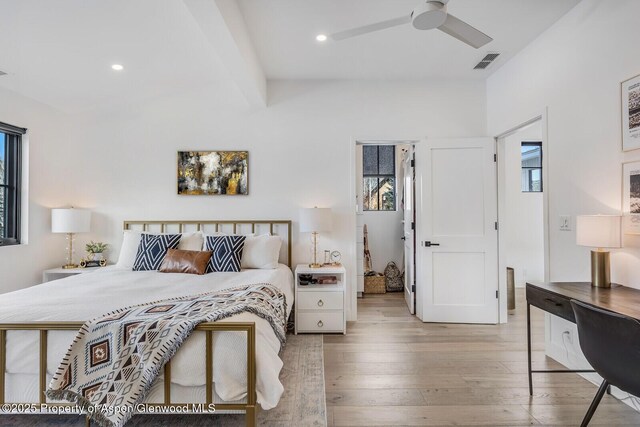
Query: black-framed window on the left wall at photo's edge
[(10, 183)]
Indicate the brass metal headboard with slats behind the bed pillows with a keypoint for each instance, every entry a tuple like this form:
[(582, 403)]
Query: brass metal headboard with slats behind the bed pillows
[(281, 228)]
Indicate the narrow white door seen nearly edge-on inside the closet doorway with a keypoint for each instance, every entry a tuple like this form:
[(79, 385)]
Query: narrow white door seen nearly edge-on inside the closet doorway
[(409, 231)]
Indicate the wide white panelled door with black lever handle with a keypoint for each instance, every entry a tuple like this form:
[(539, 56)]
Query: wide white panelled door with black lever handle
[(457, 248)]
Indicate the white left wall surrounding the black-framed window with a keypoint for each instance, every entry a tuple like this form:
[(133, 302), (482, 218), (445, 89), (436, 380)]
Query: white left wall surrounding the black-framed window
[(49, 169)]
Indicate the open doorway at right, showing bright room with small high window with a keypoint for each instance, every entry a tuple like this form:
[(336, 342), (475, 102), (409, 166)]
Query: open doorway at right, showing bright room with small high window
[(522, 209)]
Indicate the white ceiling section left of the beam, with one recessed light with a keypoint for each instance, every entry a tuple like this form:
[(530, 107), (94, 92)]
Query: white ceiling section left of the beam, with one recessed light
[(61, 52)]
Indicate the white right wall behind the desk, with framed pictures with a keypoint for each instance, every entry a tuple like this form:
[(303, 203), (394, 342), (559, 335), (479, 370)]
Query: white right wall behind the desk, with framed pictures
[(574, 69)]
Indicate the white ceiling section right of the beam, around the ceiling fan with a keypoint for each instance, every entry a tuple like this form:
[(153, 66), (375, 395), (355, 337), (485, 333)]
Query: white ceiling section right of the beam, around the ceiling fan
[(283, 32)]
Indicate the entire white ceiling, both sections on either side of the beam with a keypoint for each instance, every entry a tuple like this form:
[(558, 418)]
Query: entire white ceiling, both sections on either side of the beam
[(60, 52)]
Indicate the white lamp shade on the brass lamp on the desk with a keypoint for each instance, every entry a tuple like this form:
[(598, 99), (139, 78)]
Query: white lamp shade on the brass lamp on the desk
[(598, 231)]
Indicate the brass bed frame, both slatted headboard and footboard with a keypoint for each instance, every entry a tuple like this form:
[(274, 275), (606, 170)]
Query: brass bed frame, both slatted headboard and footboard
[(275, 228)]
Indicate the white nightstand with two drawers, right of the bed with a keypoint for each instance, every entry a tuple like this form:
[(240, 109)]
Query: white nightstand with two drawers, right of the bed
[(319, 308)]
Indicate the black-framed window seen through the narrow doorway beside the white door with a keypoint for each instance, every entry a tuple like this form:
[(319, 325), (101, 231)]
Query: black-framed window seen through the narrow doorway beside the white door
[(379, 172)]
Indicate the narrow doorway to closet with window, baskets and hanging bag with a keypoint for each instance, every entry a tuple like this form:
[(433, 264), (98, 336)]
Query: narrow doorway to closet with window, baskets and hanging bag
[(385, 216)]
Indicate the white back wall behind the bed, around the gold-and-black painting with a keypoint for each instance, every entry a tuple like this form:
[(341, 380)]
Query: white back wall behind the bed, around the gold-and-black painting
[(301, 151)]
